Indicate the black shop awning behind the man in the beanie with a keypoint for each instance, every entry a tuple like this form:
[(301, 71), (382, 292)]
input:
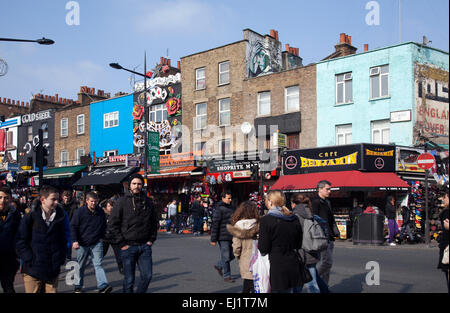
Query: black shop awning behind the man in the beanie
[(106, 175)]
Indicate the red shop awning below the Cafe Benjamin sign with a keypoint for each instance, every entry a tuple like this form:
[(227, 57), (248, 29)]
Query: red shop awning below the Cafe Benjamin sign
[(345, 180)]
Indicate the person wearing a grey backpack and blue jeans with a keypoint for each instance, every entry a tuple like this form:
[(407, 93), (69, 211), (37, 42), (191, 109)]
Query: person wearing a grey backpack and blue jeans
[(315, 240)]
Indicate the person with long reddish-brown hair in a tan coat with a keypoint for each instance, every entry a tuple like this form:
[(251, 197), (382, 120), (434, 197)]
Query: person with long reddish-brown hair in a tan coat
[(244, 228)]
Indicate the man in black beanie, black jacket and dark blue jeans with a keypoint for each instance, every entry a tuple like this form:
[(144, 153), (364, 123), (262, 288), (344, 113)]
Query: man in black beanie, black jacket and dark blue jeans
[(134, 224)]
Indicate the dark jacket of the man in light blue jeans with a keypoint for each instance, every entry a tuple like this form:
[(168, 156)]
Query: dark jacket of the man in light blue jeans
[(87, 228)]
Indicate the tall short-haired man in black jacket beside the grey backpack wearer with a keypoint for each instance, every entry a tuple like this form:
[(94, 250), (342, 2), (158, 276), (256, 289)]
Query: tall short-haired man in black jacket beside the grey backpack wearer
[(321, 206)]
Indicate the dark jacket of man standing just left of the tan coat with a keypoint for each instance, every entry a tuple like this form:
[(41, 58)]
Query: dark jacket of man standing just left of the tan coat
[(221, 217)]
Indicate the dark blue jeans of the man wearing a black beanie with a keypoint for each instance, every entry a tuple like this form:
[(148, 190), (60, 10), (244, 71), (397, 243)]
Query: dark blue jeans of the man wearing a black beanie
[(142, 256)]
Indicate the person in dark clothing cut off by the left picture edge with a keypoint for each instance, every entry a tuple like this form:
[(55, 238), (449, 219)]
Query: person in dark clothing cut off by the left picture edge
[(9, 223)]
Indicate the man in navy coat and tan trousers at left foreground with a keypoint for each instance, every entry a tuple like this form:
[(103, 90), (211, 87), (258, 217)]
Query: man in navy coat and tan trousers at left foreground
[(41, 243)]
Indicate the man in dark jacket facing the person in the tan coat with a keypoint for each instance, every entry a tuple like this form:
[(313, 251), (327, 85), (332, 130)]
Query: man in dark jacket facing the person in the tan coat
[(219, 233)]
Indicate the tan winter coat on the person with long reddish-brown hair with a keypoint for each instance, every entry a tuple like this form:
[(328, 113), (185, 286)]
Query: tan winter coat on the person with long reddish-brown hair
[(244, 232)]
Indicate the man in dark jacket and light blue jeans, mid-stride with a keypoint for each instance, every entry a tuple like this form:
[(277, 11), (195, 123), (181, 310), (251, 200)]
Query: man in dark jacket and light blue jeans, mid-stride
[(88, 227)]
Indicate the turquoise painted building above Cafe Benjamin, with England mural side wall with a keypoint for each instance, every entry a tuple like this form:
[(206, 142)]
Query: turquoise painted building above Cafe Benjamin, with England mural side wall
[(375, 96)]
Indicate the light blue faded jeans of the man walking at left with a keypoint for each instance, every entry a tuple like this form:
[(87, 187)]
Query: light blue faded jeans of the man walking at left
[(96, 254)]
